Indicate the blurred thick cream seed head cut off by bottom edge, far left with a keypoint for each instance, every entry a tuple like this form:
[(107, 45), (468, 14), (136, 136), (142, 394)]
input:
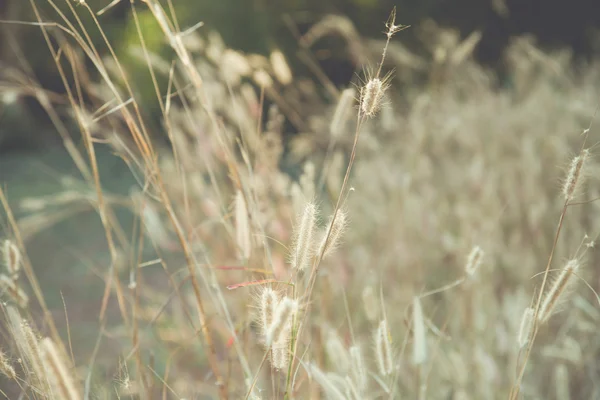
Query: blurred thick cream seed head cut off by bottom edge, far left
[(60, 380)]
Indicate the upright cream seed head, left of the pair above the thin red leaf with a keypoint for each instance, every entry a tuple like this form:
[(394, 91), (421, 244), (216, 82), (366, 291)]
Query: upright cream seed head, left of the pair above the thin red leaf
[(302, 250)]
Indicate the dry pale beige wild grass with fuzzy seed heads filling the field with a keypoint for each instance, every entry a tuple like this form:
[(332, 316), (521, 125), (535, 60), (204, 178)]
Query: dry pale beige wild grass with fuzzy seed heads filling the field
[(411, 258)]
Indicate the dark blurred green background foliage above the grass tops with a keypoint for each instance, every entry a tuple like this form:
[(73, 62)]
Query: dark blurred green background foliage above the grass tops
[(258, 26)]
